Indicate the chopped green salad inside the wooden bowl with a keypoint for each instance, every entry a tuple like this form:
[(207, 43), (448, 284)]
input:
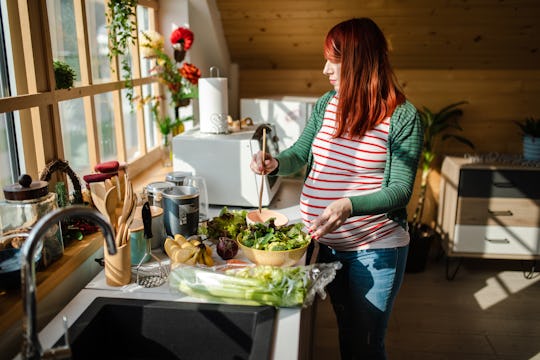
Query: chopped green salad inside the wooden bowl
[(275, 238)]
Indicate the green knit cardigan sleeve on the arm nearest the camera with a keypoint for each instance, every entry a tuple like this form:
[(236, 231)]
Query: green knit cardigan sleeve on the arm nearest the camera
[(405, 147)]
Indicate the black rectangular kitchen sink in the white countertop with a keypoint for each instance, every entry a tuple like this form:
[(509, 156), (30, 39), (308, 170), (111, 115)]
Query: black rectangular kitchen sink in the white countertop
[(112, 328)]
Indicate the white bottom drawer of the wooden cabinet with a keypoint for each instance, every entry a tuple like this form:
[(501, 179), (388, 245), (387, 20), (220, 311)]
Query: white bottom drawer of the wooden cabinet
[(512, 240)]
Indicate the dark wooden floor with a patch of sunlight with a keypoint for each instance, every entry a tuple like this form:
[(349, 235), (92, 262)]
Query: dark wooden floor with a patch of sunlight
[(489, 311)]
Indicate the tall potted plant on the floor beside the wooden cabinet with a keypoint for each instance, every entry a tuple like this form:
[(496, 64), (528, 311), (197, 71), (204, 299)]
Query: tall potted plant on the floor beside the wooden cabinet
[(437, 128)]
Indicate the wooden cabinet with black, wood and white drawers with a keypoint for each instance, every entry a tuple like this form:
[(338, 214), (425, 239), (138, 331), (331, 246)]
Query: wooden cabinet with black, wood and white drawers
[(489, 210)]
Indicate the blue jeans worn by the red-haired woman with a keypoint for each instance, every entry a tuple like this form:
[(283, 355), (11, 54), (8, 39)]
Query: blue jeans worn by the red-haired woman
[(362, 296)]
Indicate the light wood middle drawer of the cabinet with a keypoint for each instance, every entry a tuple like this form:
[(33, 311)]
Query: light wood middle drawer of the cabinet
[(498, 211)]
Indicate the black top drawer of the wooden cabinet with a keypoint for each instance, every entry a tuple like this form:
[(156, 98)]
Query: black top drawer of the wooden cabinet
[(499, 183)]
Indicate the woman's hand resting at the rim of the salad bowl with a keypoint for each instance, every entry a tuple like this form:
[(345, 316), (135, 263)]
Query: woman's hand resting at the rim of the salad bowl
[(332, 217)]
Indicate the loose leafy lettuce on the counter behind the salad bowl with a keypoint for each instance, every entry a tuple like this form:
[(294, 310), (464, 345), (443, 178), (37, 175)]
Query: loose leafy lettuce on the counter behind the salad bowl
[(228, 223)]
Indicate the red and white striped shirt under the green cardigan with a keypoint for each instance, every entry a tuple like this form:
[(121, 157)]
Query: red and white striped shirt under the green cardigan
[(346, 167)]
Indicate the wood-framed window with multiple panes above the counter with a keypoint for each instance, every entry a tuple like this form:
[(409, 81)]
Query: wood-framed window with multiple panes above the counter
[(91, 123)]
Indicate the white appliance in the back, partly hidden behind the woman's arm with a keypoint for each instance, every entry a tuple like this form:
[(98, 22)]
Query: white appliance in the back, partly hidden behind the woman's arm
[(289, 115)]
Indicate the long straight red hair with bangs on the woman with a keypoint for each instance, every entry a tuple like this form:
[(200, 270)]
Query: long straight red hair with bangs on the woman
[(368, 90)]
